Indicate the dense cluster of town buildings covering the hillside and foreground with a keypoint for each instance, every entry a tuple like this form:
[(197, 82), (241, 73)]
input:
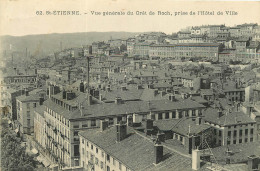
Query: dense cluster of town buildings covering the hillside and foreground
[(152, 102)]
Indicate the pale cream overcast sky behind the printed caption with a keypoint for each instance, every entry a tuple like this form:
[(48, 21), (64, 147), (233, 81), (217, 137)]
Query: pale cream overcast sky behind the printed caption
[(18, 17)]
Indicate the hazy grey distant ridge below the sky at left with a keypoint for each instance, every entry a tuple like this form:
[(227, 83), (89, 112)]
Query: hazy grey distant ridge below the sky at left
[(49, 43)]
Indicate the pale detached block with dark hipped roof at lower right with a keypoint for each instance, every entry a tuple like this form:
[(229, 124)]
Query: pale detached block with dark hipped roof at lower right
[(231, 127)]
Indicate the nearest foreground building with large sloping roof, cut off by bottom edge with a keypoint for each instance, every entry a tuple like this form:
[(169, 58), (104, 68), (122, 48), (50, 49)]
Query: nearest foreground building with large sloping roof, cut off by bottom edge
[(122, 148)]
